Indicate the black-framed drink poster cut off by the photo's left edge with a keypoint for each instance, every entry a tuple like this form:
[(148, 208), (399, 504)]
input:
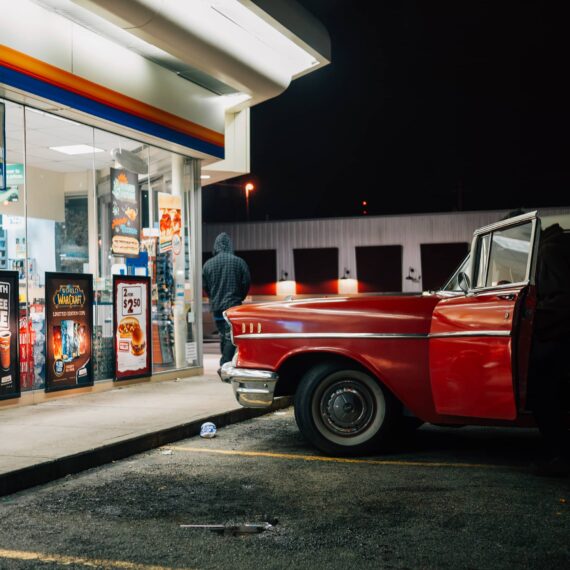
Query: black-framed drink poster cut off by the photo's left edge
[(9, 330)]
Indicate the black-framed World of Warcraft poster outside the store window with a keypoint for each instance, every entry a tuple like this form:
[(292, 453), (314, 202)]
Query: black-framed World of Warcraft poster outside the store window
[(69, 330)]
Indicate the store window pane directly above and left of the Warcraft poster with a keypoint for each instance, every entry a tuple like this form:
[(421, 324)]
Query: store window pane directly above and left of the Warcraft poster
[(59, 188)]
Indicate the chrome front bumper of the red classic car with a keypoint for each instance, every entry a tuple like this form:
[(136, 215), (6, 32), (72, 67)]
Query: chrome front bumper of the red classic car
[(252, 388)]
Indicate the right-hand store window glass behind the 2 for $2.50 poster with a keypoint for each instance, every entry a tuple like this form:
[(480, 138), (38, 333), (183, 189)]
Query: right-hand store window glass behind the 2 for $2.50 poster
[(146, 233)]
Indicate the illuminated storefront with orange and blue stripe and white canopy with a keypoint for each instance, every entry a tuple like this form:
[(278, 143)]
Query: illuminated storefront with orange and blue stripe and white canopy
[(103, 145)]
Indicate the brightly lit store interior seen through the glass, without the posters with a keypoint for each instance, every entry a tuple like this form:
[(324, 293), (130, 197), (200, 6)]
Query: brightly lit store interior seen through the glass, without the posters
[(56, 215)]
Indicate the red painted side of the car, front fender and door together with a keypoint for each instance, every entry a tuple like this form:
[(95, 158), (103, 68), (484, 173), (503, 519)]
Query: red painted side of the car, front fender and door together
[(441, 380)]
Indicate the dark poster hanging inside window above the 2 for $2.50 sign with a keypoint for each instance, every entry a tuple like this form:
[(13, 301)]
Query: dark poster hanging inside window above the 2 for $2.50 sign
[(125, 218)]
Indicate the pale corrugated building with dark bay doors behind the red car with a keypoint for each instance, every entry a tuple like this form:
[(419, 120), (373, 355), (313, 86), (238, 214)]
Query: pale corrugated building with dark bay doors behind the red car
[(358, 255)]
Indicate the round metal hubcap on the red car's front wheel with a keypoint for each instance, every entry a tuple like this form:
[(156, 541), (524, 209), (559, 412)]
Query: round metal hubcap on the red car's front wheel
[(347, 407)]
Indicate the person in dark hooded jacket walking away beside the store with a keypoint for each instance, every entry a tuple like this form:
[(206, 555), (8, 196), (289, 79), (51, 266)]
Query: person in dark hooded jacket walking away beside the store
[(226, 280)]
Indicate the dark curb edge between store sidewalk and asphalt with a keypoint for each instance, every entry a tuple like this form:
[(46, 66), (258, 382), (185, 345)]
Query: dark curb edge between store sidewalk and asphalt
[(47, 471)]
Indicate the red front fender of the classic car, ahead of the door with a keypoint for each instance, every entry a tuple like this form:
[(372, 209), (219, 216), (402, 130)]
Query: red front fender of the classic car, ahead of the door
[(401, 364)]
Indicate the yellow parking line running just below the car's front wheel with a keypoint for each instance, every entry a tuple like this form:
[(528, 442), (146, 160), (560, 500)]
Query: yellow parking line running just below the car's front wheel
[(298, 457)]
